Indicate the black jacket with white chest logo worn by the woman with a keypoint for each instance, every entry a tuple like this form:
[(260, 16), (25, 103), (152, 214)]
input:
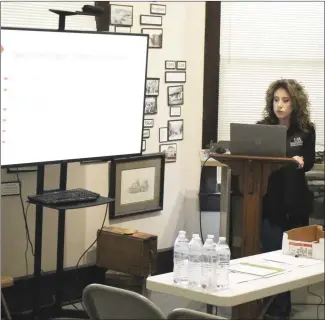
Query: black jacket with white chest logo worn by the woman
[(287, 193)]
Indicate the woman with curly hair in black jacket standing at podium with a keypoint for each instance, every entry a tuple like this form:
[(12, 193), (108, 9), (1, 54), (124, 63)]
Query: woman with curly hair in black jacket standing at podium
[(288, 201)]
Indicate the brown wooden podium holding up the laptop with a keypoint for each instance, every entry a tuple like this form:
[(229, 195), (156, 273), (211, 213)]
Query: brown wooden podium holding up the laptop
[(253, 172)]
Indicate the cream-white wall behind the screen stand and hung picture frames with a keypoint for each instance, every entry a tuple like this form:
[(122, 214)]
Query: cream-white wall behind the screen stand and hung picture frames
[(182, 40)]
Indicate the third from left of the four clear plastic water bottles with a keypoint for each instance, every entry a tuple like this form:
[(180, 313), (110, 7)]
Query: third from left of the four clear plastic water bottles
[(209, 259)]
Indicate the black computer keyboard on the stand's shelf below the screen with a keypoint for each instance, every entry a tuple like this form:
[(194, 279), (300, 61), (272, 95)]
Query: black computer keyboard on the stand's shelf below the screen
[(64, 197)]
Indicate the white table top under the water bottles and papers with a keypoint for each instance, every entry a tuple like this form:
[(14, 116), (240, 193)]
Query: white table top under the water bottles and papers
[(246, 291)]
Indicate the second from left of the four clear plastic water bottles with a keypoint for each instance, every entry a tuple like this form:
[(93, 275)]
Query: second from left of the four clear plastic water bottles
[(194, 262)]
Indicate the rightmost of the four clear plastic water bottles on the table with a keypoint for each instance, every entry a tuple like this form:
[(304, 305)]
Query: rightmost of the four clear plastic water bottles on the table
[(222, 265)]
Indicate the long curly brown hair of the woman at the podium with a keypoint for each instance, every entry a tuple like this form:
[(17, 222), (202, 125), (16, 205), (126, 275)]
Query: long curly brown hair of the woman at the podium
[(300, 116)]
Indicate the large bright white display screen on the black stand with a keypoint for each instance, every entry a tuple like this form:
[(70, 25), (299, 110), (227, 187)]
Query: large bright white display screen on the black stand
[(71, 96)]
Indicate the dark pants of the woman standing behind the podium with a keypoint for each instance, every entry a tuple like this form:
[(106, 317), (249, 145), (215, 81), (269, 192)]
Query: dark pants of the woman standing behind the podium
[(271, 238)]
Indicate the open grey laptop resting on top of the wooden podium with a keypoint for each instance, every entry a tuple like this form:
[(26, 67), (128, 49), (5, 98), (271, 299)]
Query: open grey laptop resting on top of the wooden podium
[(258, 140)]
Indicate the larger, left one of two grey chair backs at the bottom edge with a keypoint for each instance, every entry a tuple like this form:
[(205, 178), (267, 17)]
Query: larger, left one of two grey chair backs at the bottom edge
[(105, 302)]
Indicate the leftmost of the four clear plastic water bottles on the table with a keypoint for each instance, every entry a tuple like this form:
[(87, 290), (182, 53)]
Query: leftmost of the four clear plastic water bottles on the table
[(181, 259)]
